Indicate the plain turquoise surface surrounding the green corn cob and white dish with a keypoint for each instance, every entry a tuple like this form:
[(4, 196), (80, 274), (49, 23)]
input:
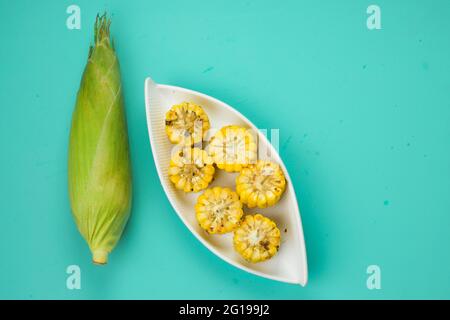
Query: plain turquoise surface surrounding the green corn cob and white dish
[(364, 119)]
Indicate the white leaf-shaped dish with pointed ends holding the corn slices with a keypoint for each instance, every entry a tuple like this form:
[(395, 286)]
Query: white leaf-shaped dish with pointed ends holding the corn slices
[(289, 265)]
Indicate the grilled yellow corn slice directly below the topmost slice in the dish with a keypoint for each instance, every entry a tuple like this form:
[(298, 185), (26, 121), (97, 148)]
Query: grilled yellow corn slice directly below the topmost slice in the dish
[(191, 169)]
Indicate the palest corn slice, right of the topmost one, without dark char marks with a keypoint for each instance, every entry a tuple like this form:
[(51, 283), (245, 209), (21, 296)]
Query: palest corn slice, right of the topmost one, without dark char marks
[(233, 148)]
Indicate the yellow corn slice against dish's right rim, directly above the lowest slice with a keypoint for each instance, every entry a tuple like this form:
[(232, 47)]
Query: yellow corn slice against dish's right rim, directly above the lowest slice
[(261, 184)]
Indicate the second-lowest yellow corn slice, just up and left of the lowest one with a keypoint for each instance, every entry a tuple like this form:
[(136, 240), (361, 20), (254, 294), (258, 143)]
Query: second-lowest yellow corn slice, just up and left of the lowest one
[(218, 210)]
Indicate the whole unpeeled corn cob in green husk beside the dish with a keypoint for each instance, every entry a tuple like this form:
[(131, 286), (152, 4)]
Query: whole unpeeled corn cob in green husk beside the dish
[(99, 162)]
